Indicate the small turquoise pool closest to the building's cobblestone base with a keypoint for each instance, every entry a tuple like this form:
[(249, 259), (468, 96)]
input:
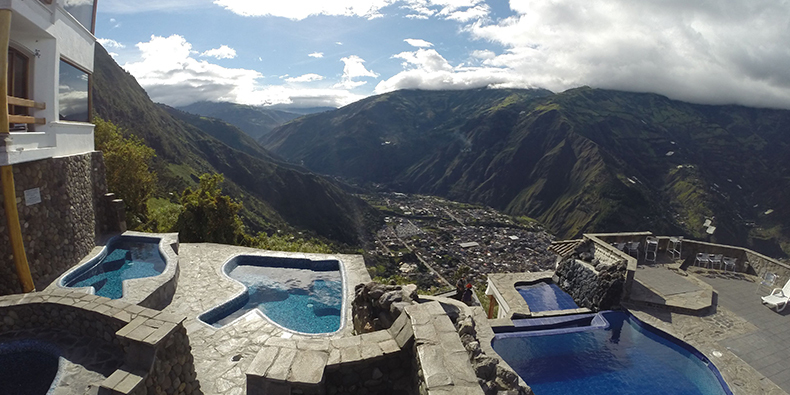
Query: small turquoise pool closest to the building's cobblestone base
[(124, 258)]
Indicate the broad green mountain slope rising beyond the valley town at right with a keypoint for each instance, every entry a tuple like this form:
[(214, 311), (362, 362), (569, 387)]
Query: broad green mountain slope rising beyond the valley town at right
[(583, 160)]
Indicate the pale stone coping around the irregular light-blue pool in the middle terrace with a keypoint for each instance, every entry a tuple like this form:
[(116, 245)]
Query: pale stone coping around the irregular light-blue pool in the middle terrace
[(345, 304)]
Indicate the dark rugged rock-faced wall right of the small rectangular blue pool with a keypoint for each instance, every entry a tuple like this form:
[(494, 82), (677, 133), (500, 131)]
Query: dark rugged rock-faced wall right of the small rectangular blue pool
[(592, 284)]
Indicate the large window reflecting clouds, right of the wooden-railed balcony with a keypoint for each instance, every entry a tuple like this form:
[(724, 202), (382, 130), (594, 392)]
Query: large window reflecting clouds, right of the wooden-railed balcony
[(73, 94)]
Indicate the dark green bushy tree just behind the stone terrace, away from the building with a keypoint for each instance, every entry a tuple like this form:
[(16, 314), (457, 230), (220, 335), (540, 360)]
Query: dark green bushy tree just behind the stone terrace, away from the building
[(209, 216)]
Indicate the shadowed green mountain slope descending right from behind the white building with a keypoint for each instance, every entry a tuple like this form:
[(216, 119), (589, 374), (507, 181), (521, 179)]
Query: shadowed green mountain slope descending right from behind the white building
[(275, 195)]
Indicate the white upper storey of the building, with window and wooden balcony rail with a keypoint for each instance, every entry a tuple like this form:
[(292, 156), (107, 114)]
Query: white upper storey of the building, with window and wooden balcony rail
[(50, 60)]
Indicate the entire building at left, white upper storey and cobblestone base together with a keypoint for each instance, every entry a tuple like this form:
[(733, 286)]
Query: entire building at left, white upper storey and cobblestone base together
[(53, 181)]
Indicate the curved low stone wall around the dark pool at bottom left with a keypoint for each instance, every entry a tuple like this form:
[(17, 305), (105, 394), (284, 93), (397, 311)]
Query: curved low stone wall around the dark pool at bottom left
[(153, 345)]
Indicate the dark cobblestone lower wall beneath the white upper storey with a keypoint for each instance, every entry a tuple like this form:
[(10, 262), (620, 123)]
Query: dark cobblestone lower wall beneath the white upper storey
[(64, 226)]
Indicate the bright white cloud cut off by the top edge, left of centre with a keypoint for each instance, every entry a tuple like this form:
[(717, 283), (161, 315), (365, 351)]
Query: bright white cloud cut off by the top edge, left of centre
[(301, 9)]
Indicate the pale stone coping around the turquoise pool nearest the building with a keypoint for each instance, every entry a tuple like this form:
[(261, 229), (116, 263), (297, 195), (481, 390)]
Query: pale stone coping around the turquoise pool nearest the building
[(152, 292)]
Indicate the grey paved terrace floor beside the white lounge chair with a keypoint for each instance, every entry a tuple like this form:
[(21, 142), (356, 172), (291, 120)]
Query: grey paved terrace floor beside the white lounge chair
[(767, 348)]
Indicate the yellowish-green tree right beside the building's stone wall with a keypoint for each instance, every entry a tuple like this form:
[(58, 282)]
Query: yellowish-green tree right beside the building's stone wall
[(128, 163)]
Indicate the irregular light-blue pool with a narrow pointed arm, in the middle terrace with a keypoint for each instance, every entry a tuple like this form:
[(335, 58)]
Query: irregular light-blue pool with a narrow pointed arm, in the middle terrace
[(301, 295)]
